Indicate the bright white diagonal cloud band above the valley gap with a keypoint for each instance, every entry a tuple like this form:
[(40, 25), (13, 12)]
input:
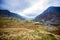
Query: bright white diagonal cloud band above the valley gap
[(36, 8)]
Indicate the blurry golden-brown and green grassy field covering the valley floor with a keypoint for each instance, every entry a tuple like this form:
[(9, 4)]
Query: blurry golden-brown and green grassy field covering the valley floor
[(16, 29)]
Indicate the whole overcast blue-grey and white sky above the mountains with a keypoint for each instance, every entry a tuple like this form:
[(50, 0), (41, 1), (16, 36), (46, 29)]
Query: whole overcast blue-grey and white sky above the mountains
[(28, 8)]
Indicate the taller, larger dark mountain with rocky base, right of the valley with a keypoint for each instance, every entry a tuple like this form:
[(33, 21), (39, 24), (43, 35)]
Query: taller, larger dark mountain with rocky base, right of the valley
[(50, 16)]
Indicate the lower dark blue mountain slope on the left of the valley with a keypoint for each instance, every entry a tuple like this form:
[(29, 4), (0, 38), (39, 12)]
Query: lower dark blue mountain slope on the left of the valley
[(6, 13)]
